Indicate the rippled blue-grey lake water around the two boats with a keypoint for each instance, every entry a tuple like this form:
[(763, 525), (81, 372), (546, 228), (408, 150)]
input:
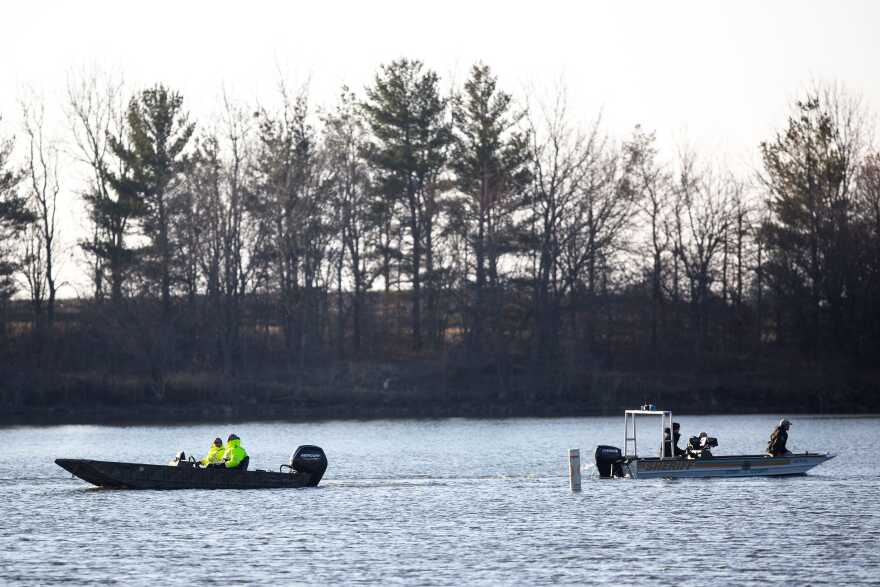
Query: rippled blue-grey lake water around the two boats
[(443, 502)]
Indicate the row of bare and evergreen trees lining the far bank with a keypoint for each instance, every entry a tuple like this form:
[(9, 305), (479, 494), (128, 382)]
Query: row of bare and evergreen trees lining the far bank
[(407, 222)]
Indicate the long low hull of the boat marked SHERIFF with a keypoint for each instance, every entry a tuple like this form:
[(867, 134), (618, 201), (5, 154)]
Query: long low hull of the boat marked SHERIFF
[(725, 466)]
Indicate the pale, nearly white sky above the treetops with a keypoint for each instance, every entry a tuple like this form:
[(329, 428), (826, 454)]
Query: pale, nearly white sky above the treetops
[(718, 75)]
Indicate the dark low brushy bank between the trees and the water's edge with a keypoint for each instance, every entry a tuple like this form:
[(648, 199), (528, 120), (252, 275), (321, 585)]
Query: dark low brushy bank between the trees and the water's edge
[(368, 391)]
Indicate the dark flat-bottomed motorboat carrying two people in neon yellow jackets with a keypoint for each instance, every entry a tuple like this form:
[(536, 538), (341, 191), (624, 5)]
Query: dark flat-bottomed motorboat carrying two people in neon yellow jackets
[(307, 466)]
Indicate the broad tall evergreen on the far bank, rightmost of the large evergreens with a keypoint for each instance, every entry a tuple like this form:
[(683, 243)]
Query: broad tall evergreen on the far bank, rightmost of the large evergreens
[(808, 236)]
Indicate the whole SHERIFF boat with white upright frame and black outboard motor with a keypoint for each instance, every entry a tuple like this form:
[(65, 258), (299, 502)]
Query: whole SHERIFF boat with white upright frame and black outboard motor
[(612, 462)]
